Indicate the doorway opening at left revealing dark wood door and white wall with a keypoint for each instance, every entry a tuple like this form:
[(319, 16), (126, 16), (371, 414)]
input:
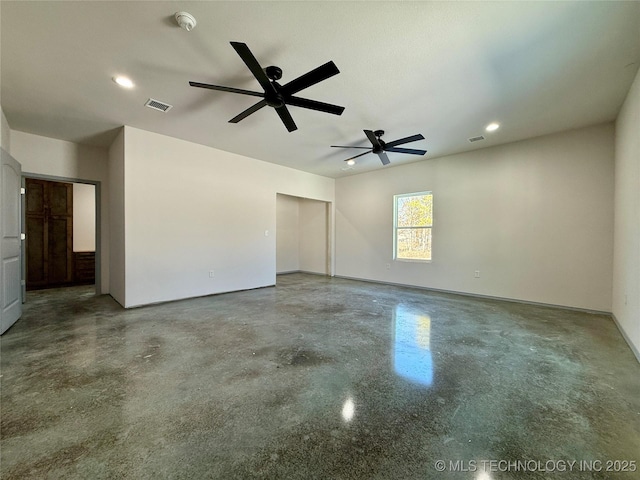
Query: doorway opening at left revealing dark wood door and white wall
[(62, 233)]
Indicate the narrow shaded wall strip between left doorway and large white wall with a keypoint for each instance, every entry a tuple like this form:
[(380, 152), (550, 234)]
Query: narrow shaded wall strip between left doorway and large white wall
[(117, 265)]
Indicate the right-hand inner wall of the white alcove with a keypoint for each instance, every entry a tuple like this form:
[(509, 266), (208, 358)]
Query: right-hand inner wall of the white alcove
[(313, 236)]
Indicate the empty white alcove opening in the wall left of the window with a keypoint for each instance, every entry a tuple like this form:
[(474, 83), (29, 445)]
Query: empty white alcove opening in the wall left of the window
[(302, 235)]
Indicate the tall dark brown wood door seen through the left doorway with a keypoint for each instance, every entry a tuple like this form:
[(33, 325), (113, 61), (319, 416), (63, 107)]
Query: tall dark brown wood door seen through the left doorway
[(49, 232)]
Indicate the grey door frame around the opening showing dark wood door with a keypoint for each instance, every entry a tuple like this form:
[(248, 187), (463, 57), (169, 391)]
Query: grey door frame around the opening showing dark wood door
[(52, 178)]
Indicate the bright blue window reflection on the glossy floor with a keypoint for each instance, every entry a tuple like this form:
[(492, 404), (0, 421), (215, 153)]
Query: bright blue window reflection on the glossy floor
[(412, 352)]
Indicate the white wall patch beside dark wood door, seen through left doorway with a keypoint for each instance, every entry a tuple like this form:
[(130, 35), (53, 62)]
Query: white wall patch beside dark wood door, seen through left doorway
[(84, 217)]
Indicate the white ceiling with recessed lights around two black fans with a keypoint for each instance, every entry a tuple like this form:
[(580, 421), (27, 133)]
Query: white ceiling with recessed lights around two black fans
[(443, 69)]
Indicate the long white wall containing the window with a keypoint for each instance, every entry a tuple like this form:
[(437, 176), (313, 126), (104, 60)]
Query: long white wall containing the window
[(535, 217)]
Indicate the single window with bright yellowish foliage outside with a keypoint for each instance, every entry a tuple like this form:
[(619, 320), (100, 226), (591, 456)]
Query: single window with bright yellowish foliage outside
[(412, 223)]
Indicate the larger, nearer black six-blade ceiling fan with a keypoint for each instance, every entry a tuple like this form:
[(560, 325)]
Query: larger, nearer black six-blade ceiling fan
[(276, 95)]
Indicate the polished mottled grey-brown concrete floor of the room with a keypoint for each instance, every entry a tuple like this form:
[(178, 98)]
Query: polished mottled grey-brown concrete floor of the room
[(315, 378)]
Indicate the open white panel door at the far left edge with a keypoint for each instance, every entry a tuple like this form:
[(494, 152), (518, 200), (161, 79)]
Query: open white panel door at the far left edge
[(10, 265)]
